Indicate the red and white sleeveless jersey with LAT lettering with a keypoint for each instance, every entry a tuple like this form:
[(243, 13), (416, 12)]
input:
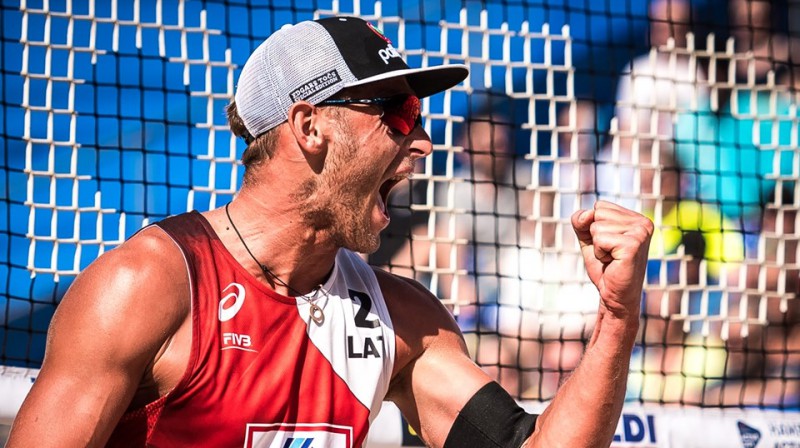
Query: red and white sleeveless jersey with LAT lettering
[(261, 372)]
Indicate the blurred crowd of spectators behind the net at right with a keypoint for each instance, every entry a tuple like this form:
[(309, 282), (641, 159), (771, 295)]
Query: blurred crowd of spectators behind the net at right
[(703, 139)]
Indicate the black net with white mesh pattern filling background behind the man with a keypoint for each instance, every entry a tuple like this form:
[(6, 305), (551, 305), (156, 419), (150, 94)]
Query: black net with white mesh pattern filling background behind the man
[(687, 111)]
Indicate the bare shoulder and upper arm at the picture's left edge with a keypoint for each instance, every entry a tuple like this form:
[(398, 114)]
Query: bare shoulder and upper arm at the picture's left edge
[(104, 333)]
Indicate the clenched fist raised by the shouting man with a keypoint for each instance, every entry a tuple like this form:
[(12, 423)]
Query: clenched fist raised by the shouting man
[(614, 242)]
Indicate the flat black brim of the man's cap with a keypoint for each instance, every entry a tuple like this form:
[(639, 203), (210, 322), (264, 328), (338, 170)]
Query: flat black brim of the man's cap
[(424, 81)]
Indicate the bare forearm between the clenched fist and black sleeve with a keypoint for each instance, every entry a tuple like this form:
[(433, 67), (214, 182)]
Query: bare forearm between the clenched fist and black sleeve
[(587, 407)]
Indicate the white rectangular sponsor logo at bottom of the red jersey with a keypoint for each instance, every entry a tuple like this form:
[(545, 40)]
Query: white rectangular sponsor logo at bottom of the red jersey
[(298, 435)]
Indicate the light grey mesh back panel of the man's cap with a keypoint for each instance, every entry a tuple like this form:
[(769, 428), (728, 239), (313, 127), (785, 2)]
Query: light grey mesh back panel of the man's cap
[(289, 59)]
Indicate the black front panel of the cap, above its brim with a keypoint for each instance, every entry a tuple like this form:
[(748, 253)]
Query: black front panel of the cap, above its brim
[(364, 48)]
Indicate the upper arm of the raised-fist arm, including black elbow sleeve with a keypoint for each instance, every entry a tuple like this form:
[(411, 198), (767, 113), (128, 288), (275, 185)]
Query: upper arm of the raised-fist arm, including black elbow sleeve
[(441, 392)]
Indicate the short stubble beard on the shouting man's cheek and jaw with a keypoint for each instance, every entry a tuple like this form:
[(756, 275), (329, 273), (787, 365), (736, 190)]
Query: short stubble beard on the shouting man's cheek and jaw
[(336, 202)]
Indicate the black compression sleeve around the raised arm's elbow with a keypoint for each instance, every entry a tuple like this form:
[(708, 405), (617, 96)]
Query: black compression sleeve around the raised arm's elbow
[(491, 419)]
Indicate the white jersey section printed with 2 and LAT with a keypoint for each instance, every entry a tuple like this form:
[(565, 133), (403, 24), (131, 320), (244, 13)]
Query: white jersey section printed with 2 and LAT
[(356, 336)]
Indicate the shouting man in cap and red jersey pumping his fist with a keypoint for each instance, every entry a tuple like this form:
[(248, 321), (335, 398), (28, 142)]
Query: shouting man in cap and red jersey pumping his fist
[(256, 325)]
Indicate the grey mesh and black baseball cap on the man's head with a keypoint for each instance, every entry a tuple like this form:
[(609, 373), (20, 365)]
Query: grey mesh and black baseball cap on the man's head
[(313, 60)]
